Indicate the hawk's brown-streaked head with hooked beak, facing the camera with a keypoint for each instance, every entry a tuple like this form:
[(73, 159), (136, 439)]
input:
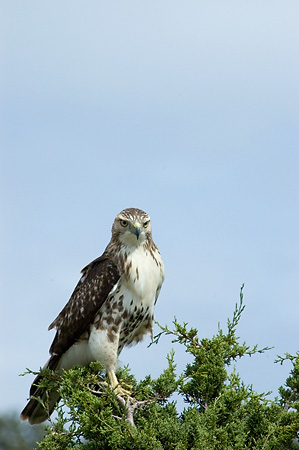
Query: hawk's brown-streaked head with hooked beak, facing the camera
[(132, 226)]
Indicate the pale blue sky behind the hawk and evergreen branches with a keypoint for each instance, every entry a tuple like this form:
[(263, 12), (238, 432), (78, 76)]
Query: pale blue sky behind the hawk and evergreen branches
[(188, 110)]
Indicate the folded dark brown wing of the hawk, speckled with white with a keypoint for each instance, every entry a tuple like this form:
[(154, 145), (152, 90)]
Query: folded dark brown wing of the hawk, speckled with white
[(98, 279)]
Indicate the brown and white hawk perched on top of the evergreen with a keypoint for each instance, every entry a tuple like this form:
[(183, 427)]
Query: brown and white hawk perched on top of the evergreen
[(112, 306)]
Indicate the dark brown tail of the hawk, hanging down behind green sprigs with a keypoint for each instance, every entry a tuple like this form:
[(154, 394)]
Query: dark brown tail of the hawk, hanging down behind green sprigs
[(41, 403)]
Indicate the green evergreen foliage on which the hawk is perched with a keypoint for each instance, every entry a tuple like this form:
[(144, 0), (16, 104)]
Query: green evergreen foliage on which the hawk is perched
[(221, 412)]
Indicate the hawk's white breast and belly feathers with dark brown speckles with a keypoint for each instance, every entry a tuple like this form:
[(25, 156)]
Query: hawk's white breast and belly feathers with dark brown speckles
[(127, 314)]
